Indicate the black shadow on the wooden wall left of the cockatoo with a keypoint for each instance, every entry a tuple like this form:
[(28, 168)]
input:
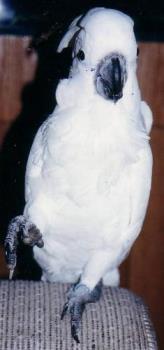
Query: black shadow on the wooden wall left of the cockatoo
[(38, 101)]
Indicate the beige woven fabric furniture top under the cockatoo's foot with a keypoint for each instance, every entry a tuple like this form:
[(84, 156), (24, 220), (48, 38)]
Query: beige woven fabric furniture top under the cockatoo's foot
[(30, 320)]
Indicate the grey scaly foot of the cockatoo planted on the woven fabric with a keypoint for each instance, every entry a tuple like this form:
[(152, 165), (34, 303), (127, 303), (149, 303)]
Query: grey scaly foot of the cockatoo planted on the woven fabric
[(78, 296)]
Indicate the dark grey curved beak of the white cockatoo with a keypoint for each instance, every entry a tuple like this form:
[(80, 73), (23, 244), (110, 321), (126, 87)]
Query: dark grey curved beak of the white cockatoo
[(111, 76)]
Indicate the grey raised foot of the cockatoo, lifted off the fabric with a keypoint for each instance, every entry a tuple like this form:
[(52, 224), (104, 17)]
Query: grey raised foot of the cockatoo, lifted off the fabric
[(20, 229)]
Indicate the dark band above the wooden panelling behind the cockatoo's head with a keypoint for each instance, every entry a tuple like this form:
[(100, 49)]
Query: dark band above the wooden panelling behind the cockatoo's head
[(37, 16)]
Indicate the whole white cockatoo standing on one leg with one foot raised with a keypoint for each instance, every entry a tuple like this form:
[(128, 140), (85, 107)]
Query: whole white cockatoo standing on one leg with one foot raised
[(88, 174)]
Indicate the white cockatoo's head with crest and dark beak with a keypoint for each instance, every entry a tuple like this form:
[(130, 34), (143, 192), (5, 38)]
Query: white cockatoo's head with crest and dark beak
[(104, 44)]
